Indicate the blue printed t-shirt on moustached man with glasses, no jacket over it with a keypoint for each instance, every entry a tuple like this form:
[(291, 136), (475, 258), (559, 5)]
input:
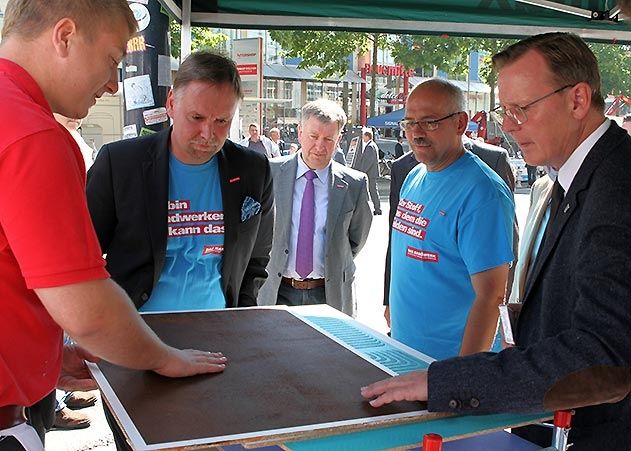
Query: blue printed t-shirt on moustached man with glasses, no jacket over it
[(449, 225)]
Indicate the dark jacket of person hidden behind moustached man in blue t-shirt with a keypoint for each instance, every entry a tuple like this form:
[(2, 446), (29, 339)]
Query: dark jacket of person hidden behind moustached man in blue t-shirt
[(495, 157)]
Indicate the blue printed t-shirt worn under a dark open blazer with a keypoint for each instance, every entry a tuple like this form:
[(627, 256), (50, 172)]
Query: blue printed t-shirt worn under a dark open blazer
[(191, 276)]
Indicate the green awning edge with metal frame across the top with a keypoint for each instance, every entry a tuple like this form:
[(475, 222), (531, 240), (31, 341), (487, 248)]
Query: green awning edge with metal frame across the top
[(594, 20)]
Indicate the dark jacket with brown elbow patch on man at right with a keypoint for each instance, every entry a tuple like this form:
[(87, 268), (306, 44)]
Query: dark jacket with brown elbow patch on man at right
[(573, 334)]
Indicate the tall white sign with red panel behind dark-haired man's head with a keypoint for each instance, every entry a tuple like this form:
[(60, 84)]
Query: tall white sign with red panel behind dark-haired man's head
[(248, 56)]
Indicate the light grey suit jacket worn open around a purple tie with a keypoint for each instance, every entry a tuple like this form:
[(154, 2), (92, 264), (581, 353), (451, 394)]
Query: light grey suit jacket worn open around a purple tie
[(347, 225)]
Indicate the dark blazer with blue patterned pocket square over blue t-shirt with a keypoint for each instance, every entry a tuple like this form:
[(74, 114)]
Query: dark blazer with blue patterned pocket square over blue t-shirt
[(127, 191)]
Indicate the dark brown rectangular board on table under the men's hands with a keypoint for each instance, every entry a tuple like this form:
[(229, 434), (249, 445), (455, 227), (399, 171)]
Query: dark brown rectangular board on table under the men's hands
[(283, 378)]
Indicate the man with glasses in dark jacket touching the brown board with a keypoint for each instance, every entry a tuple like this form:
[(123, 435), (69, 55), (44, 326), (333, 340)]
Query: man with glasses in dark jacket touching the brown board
[(573, 347)]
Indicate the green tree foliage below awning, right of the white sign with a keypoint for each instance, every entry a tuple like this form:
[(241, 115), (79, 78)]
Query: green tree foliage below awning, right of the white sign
[(330, 51)]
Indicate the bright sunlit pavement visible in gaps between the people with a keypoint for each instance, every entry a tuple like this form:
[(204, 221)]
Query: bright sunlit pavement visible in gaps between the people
[(369, 293)]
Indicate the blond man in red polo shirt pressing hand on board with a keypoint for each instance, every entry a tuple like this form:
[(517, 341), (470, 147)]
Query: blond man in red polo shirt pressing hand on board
[(60, 56)]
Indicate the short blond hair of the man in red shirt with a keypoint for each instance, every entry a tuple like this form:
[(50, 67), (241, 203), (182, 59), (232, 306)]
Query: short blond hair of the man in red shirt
[(28, 18)]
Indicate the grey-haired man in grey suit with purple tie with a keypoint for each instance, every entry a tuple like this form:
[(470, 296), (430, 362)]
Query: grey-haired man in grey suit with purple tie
[(322, 217)]
